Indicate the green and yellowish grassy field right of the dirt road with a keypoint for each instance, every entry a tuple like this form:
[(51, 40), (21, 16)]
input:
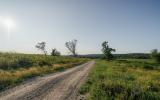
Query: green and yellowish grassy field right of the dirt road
[(129, 79)]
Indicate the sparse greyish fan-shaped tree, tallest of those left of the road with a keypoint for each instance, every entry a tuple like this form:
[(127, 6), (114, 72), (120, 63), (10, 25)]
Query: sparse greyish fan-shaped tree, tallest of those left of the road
[(71, 45)]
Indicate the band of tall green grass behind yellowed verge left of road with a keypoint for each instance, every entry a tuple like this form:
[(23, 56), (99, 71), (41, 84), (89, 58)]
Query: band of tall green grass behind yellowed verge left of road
[(10, 61)]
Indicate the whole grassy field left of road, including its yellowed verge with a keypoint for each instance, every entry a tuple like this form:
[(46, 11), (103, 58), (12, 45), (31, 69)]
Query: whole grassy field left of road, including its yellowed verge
[(15, 68)]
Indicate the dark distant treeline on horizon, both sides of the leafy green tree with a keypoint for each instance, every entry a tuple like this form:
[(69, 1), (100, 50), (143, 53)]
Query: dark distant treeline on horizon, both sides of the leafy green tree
[(121, 56)]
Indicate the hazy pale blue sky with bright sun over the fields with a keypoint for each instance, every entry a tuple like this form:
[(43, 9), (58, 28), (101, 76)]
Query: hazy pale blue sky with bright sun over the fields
[(129, 25)]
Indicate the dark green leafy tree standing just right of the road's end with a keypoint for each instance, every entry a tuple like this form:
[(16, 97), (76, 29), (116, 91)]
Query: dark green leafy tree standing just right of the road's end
[(107, 51)]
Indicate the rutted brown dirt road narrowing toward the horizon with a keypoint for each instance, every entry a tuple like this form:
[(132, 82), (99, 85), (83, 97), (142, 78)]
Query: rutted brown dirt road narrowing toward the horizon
[(59, 86)]
